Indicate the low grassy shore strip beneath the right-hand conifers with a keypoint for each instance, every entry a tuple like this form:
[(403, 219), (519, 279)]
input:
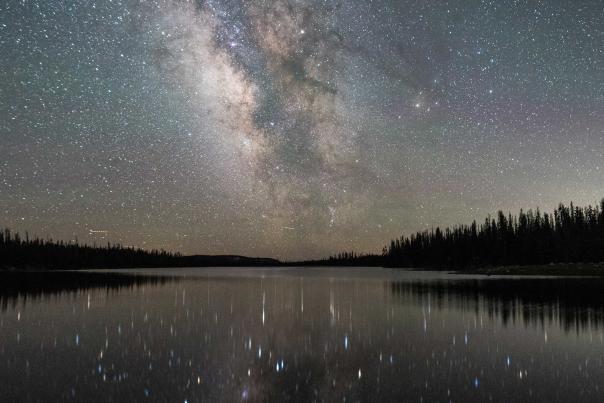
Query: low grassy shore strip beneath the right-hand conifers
[(559, 269)]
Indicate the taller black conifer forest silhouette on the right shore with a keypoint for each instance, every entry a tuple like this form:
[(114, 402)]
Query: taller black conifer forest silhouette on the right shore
[(568, 235)]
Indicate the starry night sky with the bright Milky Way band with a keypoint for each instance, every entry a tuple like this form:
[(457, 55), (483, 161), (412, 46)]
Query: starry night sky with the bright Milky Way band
[(293, 128)]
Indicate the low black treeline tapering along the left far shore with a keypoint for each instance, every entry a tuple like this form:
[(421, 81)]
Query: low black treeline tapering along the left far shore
[(25, 252)]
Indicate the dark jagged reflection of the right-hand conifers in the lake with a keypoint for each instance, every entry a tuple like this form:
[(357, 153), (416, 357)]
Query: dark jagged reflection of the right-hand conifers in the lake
[(573, 303)]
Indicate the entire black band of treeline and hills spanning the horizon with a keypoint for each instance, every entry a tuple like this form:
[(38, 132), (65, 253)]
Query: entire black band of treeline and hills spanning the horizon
[(570, 234)]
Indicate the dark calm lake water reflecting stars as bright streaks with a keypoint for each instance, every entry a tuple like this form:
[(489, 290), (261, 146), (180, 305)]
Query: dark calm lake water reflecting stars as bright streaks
[(299, 335)]
